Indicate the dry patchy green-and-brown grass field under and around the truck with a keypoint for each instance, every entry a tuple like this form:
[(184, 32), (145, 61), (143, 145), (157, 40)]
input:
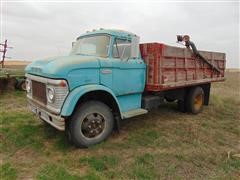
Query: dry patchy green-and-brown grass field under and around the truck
[(164, 144)]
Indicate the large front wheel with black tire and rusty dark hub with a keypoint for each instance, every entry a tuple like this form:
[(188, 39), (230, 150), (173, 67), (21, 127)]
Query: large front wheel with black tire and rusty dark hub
[(90, 124)]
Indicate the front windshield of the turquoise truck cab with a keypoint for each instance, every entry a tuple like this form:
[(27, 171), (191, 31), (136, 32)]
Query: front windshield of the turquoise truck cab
[(92, 46)]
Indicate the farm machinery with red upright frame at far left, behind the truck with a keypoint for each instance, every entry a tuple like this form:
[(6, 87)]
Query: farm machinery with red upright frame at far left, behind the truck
[(11, 77)]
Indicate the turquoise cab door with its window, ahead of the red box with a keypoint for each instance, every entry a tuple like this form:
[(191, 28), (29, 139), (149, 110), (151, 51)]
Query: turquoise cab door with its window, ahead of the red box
[(128, 73)]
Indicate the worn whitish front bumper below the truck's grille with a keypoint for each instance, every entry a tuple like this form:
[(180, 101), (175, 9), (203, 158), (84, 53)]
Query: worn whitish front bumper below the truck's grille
[(55, 120)]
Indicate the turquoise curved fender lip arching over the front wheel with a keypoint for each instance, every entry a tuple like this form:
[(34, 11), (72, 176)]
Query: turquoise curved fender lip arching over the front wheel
[(77, 93)]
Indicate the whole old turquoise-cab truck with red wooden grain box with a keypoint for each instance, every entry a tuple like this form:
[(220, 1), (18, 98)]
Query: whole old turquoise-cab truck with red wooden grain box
[(109, 76)]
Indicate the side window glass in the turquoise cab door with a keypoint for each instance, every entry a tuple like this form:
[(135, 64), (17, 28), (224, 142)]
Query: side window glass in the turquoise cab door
[(121, 49)]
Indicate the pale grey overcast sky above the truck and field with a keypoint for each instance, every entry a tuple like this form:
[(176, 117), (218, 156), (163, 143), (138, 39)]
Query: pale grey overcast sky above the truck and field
[(38, 30)]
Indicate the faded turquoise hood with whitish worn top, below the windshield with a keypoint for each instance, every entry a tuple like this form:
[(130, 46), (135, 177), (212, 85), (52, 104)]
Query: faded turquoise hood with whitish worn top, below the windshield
[(59, 67)]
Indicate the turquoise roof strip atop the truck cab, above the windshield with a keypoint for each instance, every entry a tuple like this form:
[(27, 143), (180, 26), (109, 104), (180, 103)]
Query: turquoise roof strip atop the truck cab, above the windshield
[(113, 32)]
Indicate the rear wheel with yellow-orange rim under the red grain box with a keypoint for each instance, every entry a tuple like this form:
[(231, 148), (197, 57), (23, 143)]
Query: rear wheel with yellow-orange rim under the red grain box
[(195, 100)]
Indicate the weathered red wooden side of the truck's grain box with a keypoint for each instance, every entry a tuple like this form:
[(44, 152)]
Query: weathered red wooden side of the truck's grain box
[(171, 67)]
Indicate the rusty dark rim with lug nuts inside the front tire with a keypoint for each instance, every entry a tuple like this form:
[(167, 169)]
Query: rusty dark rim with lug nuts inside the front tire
[(93, 125)]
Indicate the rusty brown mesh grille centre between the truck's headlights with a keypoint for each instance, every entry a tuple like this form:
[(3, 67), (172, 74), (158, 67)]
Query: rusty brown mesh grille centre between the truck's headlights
[(39, 92)]
